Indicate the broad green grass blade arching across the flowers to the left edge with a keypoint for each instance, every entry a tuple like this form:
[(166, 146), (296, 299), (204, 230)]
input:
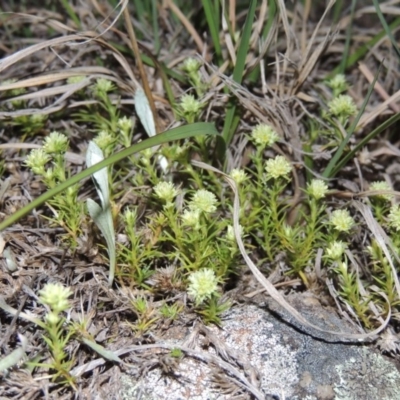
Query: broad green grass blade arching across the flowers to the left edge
[(182, 132)]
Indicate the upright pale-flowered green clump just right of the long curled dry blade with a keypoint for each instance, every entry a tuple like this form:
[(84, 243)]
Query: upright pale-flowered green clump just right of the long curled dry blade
[(268, 205)]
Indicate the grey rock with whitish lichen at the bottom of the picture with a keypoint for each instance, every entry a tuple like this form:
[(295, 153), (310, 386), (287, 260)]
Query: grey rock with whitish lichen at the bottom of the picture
[(274, 355)]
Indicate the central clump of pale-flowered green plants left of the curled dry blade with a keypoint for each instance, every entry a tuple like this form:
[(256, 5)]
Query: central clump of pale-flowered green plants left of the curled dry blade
[(205, 249)]
